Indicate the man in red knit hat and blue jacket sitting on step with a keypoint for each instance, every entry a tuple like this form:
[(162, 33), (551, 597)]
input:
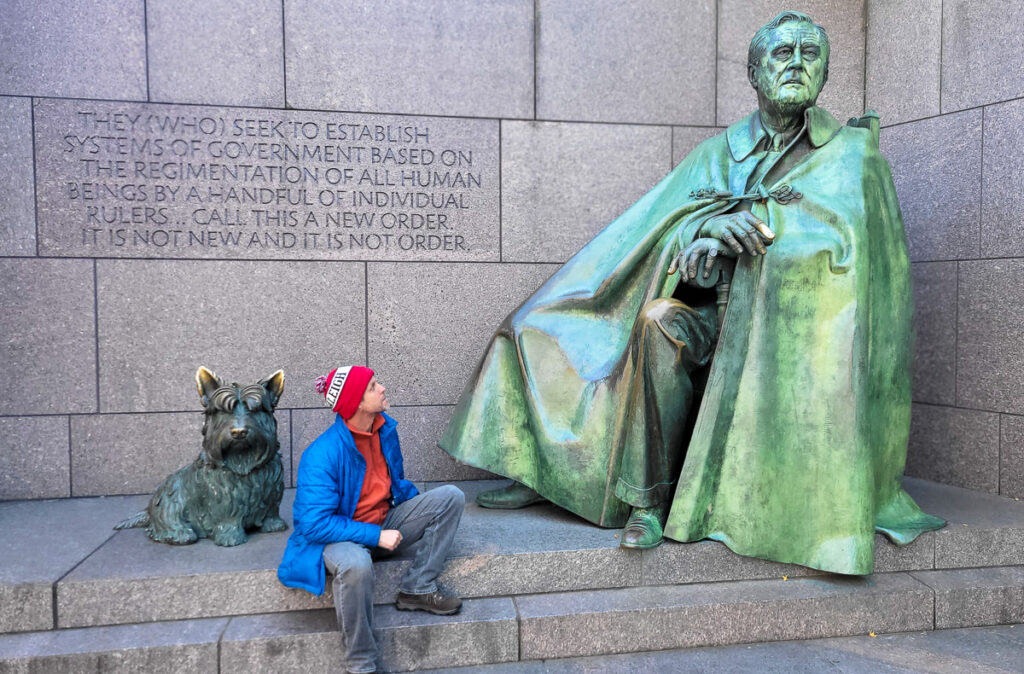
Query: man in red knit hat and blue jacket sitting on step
[(354, 505)]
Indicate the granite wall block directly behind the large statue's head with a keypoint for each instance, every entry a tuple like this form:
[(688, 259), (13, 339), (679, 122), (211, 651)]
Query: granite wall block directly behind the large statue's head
[(843, 20)]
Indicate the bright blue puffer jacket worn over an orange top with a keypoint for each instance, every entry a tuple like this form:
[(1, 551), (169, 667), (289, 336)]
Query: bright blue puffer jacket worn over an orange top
[(330, 480)]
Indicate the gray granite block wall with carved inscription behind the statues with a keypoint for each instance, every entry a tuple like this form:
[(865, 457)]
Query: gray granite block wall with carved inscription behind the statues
[(235, 185)]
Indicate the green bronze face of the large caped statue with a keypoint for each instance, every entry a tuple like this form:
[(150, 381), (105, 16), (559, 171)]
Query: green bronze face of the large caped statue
[(792, 71)]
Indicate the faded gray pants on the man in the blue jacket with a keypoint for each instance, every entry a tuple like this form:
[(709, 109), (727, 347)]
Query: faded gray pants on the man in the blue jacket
[(429, 524)]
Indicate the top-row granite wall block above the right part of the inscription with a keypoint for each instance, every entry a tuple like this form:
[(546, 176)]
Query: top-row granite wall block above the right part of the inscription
[(464, 58)]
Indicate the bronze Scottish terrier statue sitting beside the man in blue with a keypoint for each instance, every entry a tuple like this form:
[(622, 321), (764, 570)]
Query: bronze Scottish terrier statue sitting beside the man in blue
[(236, 484)]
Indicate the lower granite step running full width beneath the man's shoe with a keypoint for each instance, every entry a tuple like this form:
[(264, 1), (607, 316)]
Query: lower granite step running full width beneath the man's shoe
[(541, 627)]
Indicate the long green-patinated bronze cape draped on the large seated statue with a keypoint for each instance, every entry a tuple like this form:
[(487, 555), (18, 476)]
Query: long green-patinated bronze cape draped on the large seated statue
[(801, 439)]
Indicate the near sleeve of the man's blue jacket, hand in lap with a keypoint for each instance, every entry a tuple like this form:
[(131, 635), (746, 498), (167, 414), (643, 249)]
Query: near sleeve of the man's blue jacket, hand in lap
[(318, 499)]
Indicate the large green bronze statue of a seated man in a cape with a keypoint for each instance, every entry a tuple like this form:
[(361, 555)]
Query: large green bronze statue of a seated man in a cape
[(797, 452)]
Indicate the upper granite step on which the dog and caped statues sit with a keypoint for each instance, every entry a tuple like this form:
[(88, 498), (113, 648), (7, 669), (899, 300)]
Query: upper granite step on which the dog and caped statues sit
[(107, 578)]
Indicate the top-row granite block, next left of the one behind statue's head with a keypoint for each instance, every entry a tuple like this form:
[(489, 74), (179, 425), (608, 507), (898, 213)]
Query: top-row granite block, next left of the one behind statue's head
[(590, 67)]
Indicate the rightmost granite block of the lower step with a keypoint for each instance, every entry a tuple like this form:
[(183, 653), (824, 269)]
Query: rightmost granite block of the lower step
[(973, 598)]
